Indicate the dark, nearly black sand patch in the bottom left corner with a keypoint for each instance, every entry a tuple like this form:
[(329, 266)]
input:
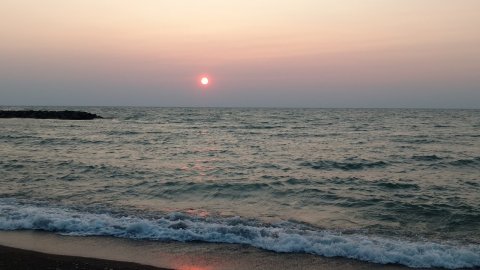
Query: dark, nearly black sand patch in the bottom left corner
[(19, 259)]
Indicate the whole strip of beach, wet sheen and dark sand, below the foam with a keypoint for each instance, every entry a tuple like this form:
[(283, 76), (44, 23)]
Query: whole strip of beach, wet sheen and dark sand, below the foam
[(43, 249)]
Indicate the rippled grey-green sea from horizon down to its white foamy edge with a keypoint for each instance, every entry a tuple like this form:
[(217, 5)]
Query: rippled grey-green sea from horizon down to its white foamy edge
[(379, 185)]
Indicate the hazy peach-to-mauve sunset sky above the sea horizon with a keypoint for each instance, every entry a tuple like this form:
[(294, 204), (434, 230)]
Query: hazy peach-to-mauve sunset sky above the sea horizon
[(256, 53)]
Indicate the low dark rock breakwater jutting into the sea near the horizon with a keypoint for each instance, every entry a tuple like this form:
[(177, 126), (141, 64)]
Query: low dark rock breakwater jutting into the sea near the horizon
[(63, 115)]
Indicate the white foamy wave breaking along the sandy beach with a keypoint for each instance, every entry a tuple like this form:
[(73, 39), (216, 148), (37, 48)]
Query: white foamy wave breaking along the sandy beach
[(279, 237)]
